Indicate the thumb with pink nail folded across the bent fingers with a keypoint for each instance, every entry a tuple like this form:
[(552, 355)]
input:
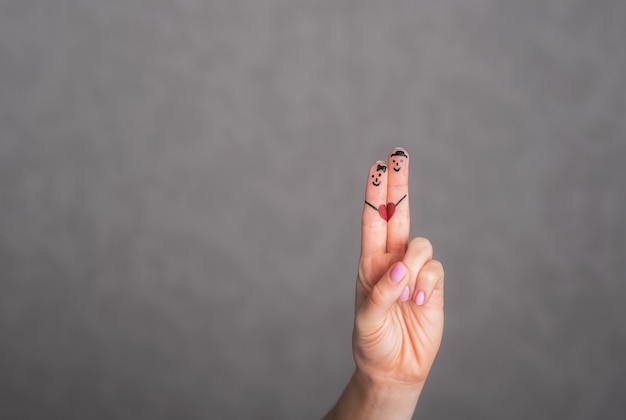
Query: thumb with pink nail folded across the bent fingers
[(392, 286)]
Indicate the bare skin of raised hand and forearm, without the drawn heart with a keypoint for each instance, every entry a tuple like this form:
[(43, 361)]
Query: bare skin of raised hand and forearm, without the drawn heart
[(398, 318)]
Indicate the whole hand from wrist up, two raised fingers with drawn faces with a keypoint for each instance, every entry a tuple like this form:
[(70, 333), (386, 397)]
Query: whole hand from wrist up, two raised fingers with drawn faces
[(399, 292)]
